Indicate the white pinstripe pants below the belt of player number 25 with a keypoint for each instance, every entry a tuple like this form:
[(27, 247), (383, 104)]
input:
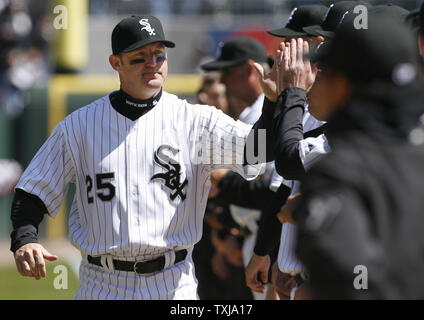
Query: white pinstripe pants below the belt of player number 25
[(177, 282)]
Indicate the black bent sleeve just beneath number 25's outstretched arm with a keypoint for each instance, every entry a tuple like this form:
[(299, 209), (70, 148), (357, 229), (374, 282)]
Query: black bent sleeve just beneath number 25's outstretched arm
[(234, 189)]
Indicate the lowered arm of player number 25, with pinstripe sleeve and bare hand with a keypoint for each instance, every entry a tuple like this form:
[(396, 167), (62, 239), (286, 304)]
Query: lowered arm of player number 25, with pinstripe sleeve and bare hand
[(37, 195)]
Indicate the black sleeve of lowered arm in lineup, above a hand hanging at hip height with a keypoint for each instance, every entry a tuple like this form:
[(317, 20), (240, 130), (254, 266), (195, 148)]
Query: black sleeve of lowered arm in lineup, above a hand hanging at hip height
[(269, 232)]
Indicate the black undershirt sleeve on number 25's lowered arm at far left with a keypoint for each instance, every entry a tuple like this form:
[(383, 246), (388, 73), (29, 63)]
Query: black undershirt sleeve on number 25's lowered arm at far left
[(26, 215)]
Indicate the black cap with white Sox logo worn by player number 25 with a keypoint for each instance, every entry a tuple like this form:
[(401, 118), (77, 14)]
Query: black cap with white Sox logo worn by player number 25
[(135, 32)]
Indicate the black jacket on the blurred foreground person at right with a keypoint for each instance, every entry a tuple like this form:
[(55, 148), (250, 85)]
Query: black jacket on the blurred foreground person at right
[(363, 203)]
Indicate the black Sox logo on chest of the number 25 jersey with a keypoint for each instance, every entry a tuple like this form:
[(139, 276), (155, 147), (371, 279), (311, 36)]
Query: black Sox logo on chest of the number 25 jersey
[(172, 176)]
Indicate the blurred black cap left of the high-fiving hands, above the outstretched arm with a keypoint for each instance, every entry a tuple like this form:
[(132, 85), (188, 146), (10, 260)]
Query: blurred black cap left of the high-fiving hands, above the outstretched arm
[(236, 51)]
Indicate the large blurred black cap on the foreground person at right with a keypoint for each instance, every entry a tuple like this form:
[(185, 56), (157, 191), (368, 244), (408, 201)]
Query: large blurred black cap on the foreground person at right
[(368, 55)]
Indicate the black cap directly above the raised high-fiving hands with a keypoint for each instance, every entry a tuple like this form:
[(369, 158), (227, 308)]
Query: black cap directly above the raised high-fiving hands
[(301, 17)]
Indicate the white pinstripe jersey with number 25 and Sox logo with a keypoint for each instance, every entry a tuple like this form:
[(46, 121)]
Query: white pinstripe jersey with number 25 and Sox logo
[(129, 201)]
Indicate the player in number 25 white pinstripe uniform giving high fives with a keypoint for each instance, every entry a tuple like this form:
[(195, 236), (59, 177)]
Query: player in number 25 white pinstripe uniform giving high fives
[(141, 160)]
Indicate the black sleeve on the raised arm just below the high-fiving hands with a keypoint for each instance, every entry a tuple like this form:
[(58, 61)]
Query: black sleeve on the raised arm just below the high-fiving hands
[(289, 131)]
